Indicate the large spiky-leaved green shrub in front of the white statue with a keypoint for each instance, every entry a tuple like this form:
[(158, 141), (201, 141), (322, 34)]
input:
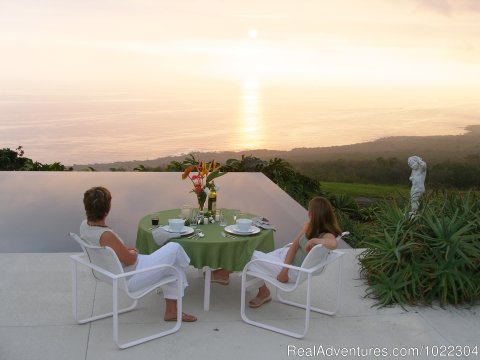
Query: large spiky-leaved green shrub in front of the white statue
[(432, 257)]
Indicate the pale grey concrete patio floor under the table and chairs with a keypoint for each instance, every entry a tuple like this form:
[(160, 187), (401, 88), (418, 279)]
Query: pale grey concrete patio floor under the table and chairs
[(36, 321)]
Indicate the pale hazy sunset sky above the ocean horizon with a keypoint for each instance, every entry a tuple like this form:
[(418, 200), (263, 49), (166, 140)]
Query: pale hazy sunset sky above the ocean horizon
[(138, 42)]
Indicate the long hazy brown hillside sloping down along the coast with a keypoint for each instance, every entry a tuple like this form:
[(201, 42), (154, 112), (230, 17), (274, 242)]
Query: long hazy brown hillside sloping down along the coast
[(433, 149)]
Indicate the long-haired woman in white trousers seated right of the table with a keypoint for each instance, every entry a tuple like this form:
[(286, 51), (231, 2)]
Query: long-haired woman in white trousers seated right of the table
[(321, 228)]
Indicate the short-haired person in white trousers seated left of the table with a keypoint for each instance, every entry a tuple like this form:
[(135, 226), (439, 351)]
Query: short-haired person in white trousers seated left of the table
[(97, 202)]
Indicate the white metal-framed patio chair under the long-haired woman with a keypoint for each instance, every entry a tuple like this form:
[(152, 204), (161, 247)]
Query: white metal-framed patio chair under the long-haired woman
[(314, 263)]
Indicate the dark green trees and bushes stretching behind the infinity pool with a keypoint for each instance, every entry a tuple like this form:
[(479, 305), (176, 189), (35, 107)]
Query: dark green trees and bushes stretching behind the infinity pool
[(300, 175)]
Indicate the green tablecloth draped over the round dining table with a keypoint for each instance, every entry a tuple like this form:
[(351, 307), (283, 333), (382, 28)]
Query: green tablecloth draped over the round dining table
[(213, 250)]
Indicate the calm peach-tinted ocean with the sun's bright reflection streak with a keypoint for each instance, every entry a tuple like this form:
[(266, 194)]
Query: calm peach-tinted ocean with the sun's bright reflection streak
[(98, 127)]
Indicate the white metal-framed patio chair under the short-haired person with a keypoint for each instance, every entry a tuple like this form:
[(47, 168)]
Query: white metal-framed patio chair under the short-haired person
[(106, 267)]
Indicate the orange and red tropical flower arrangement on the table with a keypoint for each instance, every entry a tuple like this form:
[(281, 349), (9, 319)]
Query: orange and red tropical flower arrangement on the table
[(202, 179)]
